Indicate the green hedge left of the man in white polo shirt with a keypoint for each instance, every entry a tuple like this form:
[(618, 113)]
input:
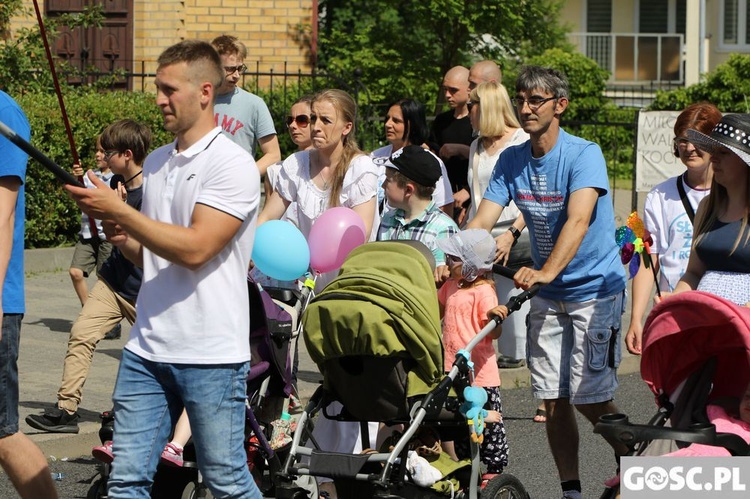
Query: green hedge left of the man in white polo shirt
[(52, 219)]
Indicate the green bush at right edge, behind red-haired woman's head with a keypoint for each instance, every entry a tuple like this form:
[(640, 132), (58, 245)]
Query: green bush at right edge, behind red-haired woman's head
[(728, 87)]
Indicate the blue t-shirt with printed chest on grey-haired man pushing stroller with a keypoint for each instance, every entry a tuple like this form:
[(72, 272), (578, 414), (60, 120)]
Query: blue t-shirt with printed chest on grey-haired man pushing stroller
[(541, 188)]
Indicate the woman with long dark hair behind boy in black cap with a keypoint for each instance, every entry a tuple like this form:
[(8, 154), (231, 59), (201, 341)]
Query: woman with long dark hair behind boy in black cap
[(406, 124)]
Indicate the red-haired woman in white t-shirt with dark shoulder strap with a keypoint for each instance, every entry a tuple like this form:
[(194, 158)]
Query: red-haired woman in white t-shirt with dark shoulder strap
[(669, 219)]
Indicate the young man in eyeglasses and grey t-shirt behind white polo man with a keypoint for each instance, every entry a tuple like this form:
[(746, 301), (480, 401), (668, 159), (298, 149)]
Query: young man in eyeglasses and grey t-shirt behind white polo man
[(243, 116)]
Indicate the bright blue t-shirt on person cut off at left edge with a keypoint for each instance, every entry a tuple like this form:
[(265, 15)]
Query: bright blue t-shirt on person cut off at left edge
[(13, 164)]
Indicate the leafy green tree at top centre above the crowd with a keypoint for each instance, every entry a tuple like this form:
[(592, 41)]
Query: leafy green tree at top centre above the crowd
[(404, 47)]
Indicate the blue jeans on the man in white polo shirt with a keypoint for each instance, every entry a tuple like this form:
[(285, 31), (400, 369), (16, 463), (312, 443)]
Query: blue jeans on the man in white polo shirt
[(148, 399)]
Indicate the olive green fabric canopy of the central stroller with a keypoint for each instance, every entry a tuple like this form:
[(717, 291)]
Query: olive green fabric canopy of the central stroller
[(382, 304)]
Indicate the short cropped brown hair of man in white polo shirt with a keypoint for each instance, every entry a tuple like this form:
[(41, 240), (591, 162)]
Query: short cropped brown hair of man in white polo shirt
[(203, 61)]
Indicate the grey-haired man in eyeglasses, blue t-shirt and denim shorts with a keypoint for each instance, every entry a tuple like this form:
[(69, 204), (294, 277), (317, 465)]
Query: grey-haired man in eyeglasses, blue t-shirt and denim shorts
[(559, 182)]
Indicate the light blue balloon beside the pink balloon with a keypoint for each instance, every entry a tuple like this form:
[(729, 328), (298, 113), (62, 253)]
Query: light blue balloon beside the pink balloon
[(280, 250)]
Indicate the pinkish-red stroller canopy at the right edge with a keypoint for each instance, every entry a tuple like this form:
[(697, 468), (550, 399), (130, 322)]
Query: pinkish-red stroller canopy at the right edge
[(685, 331)]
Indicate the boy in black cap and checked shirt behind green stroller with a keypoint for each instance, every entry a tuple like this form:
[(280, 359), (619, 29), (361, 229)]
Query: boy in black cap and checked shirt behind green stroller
[(411, 174)]
